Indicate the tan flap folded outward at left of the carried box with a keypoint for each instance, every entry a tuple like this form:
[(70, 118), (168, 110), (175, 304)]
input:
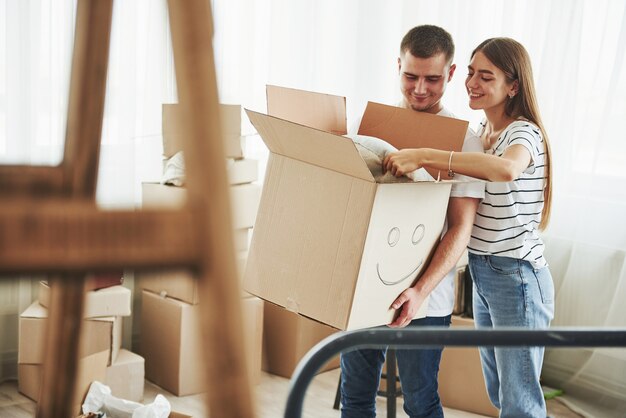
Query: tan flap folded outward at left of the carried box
[(310, 145)]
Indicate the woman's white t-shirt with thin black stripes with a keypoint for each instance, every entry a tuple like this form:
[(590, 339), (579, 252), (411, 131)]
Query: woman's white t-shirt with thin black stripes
[(508, 217)]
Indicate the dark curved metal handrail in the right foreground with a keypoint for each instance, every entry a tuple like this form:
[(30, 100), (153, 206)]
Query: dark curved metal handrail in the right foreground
[(425, 337)]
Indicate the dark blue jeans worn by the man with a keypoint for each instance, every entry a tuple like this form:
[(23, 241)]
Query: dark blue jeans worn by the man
[(418, 369)]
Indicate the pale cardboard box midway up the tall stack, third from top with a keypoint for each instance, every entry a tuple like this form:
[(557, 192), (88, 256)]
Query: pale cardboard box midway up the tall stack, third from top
[(245, 200)]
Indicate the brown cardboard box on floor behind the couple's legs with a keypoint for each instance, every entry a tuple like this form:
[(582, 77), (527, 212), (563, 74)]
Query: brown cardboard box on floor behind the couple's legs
[(461, 383)]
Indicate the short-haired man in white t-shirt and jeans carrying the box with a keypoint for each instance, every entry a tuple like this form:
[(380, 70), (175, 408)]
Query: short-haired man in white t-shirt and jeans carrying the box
[(425, 67)]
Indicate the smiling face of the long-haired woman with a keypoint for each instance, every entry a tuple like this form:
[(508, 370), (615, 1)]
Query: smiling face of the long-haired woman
[(486, 84)]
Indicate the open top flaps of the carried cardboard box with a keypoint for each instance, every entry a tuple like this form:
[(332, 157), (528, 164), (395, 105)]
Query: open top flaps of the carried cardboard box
[(403, 128)]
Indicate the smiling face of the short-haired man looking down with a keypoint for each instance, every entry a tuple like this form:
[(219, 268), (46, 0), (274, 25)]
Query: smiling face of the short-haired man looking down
[(423, 81)]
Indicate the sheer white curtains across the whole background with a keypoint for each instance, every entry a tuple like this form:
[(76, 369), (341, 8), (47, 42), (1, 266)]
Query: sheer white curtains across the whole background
[(350, 48)]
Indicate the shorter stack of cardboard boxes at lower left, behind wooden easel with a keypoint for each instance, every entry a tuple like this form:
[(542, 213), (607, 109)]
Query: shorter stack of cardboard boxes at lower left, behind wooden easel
[(101, 355)]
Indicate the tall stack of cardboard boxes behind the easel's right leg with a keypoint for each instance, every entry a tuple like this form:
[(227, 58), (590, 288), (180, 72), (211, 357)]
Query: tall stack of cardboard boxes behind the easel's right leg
[(170, 338)]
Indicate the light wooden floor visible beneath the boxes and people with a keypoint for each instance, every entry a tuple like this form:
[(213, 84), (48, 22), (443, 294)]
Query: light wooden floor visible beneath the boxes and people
[(271, 395)]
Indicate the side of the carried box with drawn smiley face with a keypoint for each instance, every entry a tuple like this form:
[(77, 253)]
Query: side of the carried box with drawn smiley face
[(404, 227)]
